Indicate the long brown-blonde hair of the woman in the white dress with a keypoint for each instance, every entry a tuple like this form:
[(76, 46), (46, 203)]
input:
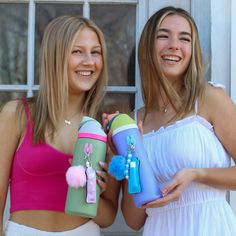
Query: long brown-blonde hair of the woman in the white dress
[(153, 79)]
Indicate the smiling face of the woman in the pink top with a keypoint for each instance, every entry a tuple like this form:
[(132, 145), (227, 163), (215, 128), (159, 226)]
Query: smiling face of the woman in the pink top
[(85, 62)]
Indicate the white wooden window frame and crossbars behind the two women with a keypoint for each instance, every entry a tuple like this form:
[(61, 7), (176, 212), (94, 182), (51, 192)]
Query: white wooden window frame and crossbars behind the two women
[(30, 87)]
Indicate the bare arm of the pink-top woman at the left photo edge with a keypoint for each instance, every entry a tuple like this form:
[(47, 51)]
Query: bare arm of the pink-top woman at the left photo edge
[(9, 139)]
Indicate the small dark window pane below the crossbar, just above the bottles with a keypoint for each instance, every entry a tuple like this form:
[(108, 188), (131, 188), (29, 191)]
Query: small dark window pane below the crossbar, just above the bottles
[(124, 103)]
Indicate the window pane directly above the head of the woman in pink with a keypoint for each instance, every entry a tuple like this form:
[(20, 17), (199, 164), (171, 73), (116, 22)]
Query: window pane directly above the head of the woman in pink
[(44, 14)]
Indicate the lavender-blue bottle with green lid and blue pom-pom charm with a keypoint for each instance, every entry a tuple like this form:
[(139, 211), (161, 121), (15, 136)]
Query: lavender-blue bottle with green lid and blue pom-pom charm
[(133, 162)]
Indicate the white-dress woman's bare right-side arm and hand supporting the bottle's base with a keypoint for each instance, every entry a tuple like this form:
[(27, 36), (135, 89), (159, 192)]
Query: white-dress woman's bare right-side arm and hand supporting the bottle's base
[(220, 111)]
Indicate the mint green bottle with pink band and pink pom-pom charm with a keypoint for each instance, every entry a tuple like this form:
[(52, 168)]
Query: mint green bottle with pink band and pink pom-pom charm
[(83, 190)]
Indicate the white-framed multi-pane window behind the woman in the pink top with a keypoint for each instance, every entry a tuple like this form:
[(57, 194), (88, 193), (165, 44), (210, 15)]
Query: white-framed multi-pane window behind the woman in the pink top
[(22, 25)]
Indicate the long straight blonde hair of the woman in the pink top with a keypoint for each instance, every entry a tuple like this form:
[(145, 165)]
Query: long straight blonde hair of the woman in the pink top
[(52, 98)]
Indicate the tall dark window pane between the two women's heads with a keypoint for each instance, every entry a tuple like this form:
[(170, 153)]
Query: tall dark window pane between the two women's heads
[(118, 24)]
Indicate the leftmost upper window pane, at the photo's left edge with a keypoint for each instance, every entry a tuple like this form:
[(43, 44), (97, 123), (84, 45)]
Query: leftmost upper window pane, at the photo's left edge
[(13, 43)]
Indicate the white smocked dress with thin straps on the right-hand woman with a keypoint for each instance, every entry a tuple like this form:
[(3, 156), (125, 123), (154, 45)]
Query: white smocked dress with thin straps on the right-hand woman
[(201, 210)]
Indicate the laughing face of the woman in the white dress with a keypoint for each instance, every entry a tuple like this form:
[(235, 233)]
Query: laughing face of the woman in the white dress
[(173, 46)]
